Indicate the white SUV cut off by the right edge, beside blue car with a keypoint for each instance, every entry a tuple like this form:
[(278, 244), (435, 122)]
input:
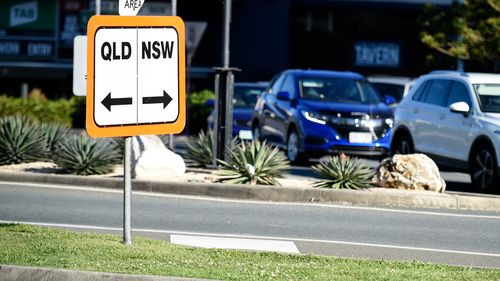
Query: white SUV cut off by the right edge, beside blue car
[(454, 118)]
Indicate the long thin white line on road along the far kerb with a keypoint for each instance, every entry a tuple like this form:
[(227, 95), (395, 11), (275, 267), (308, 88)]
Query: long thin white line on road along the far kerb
[(203, 198)]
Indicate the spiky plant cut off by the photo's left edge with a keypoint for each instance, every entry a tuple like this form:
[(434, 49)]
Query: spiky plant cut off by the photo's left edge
[(20, 141)]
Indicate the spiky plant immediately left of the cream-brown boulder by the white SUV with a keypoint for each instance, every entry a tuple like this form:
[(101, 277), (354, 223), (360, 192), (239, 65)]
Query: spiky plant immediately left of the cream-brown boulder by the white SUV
[(342, 172)]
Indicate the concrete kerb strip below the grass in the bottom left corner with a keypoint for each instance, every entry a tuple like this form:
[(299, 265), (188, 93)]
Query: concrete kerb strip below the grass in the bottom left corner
[(14, 273)]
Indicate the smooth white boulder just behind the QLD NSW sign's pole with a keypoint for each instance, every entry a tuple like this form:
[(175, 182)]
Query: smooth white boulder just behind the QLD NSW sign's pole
[(151, 160)]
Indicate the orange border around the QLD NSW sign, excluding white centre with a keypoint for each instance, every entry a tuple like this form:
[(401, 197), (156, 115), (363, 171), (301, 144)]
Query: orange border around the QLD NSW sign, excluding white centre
[(176, 127)]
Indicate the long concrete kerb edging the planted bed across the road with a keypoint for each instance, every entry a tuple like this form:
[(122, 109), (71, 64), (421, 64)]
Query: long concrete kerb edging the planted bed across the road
[(370, 197)]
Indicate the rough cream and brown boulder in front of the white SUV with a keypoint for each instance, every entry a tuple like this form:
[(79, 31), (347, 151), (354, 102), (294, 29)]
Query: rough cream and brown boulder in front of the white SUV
[(411, 171)]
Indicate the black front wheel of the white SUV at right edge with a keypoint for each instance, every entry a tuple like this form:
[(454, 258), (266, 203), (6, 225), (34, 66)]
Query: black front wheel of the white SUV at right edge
[(483, 168)]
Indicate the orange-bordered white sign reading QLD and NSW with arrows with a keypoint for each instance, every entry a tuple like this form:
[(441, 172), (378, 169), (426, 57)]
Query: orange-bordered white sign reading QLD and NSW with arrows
[(136, 76)]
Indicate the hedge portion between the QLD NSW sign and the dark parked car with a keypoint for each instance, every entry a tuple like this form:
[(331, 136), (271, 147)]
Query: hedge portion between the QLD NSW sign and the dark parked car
[(198, 110)]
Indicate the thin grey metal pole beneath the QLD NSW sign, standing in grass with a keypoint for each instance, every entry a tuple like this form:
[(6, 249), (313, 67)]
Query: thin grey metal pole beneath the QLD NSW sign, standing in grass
[(127, 192)]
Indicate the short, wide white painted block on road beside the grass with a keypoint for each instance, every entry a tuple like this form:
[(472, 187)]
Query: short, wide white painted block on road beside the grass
[(235, 243)]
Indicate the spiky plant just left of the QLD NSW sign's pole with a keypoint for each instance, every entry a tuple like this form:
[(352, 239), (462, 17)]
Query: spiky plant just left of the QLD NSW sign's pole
[(82, 155)]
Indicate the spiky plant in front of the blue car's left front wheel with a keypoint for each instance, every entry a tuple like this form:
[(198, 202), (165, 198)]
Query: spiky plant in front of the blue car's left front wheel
[(254, 163)]
